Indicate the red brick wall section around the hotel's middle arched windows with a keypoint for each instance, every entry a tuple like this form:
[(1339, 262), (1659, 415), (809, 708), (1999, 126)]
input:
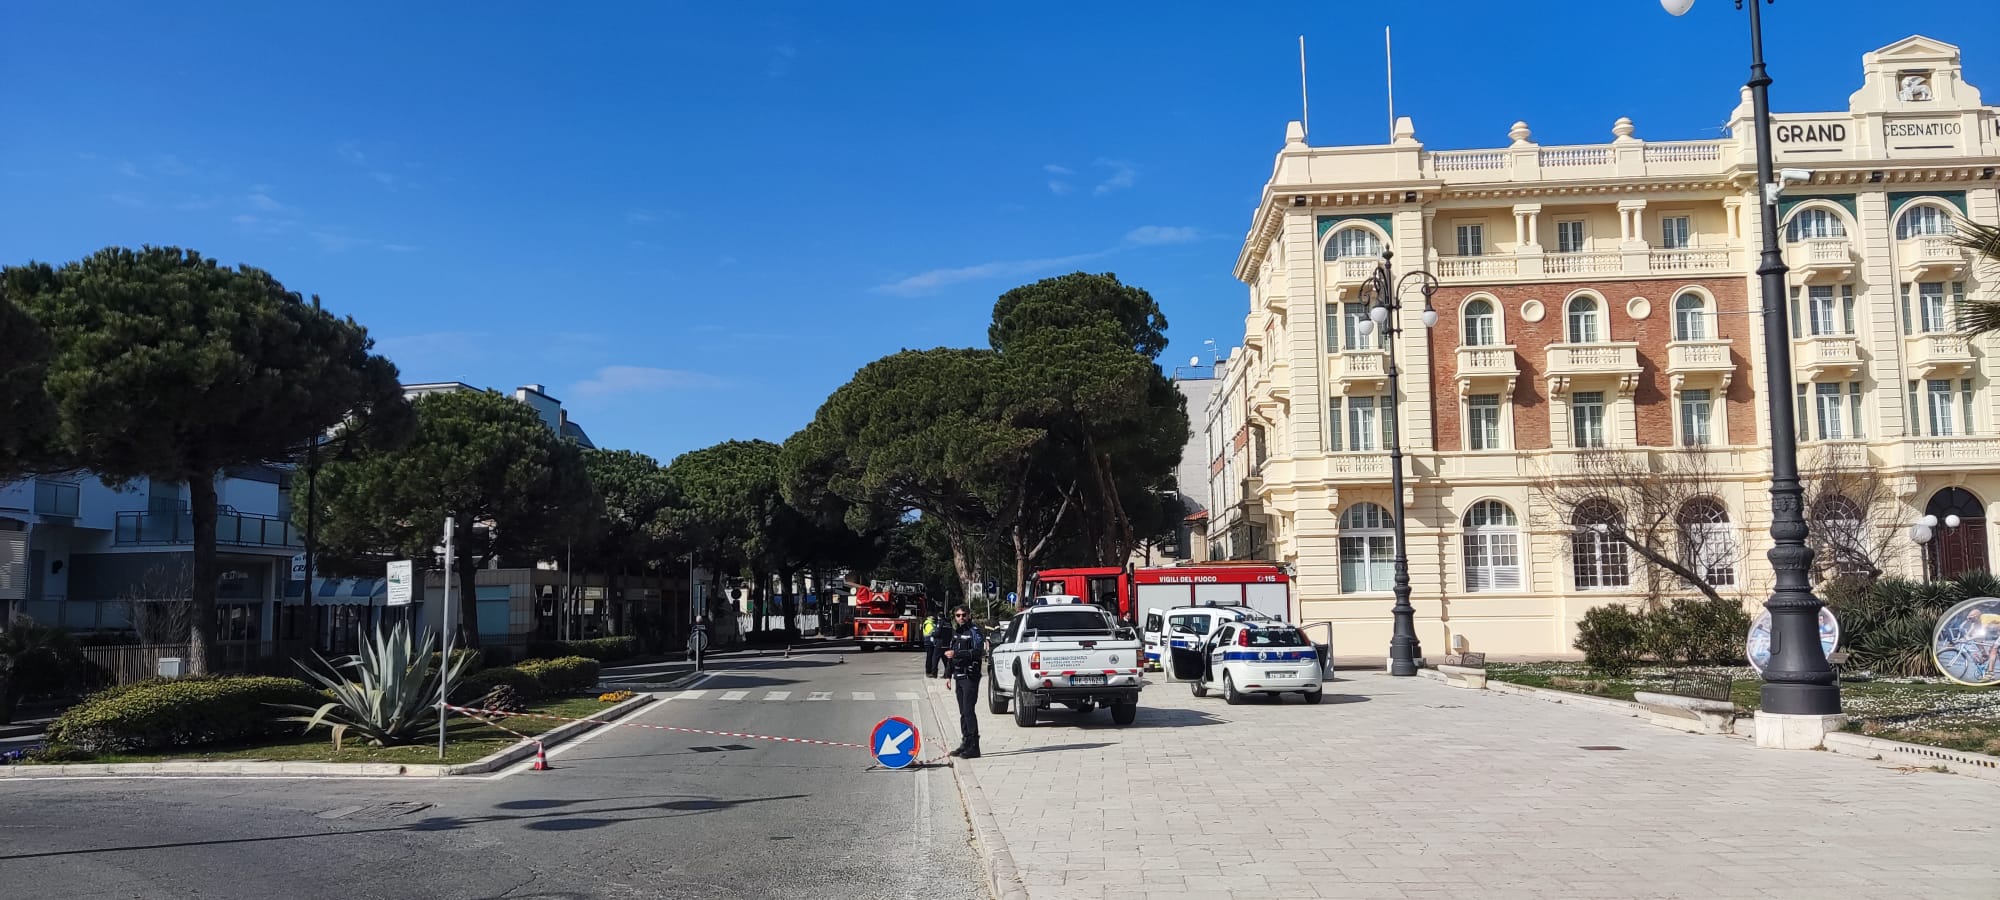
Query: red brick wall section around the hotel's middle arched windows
[(1531, 343)]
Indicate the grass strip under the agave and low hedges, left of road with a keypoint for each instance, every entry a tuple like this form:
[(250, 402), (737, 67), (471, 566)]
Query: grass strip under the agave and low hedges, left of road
[(467, 741)]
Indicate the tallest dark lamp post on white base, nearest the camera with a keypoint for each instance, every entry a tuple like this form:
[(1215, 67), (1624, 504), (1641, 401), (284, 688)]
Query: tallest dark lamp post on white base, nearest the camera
[(1799, 681)]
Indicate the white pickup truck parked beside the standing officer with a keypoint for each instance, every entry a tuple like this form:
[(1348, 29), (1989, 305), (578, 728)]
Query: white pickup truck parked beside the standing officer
[(1063, 651)]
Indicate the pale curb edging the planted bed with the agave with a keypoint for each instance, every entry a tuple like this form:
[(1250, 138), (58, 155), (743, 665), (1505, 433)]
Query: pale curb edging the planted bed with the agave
[(501, 759)]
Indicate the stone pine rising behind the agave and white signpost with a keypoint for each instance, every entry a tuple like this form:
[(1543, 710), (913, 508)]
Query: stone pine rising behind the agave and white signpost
[(487, 461)]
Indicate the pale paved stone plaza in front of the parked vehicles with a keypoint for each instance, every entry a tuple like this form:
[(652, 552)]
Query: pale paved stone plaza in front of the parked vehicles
[(1411, 789)]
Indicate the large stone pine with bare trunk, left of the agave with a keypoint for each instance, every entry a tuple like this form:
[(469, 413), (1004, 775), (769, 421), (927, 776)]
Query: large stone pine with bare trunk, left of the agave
[(169, 365)]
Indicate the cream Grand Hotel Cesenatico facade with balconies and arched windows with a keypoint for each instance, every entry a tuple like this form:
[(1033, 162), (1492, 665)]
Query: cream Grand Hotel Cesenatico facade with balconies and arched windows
[(1605, 297)]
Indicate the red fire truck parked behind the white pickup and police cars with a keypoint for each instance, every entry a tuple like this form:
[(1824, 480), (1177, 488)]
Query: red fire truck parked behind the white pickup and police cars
[(1265, 587)]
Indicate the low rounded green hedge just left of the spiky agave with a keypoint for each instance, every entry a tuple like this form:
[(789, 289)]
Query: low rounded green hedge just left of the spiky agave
[(181, 713)]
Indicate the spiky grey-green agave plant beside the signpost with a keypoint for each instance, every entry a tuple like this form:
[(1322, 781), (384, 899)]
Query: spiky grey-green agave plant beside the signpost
[(387, 695)]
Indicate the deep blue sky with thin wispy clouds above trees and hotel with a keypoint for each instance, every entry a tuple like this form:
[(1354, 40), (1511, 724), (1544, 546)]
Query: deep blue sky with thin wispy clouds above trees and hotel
[(695, 221)]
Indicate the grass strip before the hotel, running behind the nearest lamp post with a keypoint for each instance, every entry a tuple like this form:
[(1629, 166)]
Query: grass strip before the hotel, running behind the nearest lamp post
[(1919, 711)]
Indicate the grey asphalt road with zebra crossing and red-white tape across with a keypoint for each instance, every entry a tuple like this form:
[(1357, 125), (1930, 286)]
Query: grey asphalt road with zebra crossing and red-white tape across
[(627, 813)]
